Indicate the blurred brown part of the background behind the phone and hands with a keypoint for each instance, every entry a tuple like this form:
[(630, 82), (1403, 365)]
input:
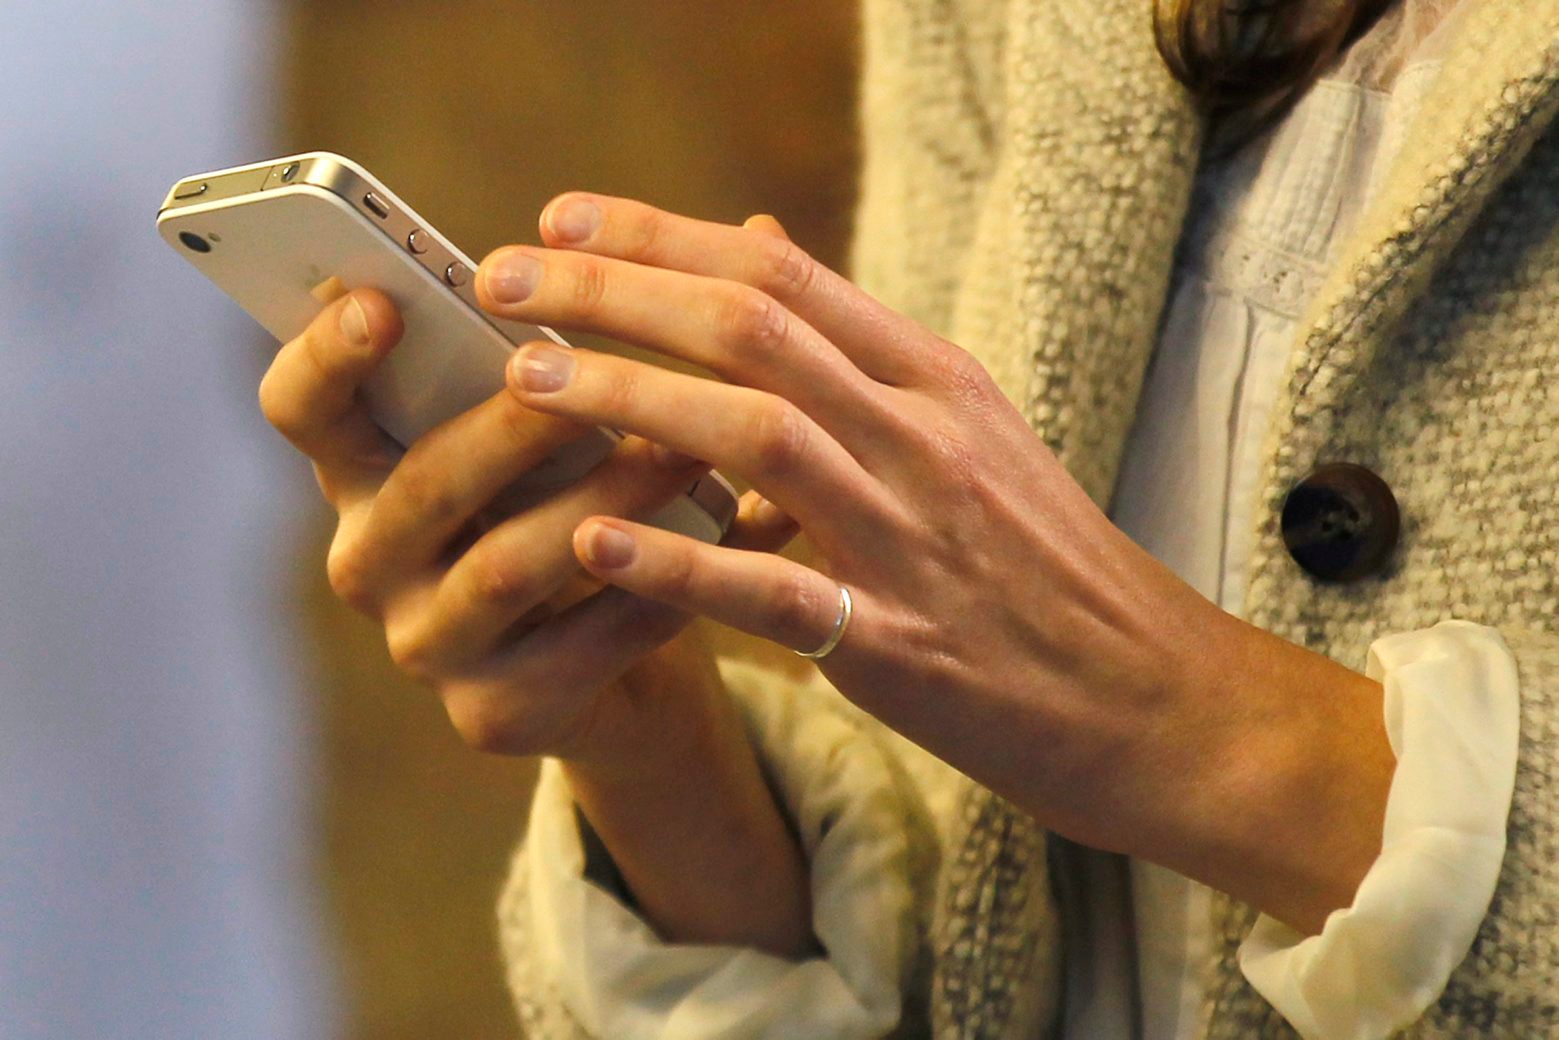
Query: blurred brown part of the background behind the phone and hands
[(478, 115)]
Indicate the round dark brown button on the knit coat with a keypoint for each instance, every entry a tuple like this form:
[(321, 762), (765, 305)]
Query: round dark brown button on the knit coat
[(1342, 523)]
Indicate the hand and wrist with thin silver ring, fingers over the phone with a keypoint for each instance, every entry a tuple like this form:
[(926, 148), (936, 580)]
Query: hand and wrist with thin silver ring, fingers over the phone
[(1000, 620)]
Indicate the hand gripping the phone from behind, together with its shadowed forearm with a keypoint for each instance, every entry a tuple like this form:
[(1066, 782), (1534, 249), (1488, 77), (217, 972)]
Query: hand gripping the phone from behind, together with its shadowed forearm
[(525, 651)]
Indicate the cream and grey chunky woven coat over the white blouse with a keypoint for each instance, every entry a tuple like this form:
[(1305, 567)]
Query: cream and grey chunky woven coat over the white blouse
[(1028, 174)]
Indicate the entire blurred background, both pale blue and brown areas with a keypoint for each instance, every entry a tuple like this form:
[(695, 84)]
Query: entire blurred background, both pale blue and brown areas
[(221, 812)]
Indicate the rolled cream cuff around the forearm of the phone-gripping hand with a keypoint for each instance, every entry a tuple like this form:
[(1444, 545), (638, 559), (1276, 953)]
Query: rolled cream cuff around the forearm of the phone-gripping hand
[(623, 982)]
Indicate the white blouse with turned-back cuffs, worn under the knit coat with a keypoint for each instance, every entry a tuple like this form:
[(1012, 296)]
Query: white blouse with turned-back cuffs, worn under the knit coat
[(1265, 225)]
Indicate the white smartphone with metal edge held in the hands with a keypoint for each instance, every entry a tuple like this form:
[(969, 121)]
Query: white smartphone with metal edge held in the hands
[(275, 233)]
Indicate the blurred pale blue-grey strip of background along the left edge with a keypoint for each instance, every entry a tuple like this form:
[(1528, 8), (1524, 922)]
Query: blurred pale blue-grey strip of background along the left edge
[(154, 741)]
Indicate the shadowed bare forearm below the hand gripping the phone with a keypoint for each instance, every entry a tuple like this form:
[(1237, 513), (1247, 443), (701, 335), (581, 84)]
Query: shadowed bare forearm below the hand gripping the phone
[(690, 821)]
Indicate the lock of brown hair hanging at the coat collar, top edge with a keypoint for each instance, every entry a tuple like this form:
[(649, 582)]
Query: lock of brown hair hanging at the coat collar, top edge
[(1248, 62)]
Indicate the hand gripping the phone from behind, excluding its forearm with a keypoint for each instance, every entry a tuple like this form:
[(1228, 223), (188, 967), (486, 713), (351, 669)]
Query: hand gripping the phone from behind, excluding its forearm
[(495, 614)]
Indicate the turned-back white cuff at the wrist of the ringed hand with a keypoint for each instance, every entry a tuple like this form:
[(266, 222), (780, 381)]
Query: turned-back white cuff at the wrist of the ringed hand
[(1454, 721)]
